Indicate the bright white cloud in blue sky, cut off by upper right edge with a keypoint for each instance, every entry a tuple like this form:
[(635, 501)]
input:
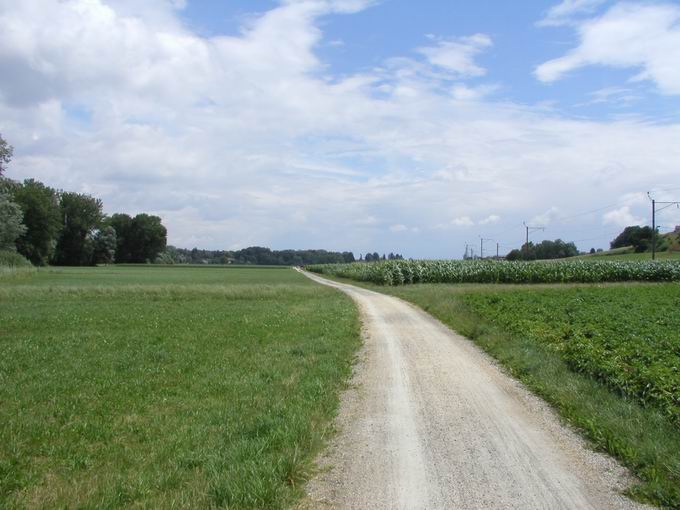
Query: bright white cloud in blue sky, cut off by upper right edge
[(640, 36)]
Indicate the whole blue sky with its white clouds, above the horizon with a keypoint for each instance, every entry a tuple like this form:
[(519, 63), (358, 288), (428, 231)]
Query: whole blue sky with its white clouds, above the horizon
[(389, 125)]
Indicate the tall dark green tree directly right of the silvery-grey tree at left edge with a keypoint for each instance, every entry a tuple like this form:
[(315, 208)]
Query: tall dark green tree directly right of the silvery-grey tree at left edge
[(42, 218)]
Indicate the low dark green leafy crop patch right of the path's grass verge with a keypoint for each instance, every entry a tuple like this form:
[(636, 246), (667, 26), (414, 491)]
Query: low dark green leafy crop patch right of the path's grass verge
[(627, 339)]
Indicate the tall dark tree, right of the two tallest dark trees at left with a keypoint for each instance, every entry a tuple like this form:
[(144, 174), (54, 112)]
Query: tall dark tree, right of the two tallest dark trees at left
[(81, 215)]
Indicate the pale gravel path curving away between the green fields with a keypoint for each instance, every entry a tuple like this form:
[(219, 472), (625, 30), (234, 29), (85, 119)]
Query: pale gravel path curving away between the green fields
[(431, 422)]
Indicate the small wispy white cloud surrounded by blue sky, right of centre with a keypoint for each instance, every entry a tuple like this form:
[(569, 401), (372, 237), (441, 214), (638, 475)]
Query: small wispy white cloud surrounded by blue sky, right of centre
[(457, 56)]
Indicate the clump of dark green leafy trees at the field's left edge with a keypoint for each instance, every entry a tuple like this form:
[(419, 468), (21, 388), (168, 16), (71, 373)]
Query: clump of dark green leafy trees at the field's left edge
[(49, 226)]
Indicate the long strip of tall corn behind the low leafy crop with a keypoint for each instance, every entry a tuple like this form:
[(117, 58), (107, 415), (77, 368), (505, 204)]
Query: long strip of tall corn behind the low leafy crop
[(401, 272)]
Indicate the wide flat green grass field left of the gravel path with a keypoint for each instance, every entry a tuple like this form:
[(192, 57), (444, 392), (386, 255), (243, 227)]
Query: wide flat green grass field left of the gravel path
[(167, 387)]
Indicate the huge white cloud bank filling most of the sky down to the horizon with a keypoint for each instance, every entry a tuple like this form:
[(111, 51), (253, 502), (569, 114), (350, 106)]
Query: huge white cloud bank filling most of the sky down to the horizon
[(248, 138)]
